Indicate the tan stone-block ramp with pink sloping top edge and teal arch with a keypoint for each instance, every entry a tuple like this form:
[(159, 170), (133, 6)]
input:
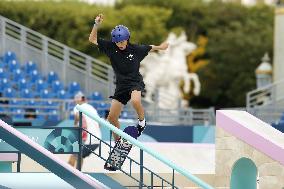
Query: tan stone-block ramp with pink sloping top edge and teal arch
[(249, 152)]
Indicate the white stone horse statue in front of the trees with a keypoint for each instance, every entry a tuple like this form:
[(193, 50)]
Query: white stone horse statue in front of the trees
[(163, 72)]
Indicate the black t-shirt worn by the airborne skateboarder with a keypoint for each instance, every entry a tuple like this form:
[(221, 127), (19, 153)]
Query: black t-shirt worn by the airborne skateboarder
[(125, 63)]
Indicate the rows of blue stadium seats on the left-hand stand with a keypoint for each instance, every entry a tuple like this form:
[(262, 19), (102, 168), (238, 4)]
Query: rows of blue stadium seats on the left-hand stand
[(28, 93)]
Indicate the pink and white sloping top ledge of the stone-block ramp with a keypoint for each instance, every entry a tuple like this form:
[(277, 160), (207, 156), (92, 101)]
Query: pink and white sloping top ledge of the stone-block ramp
[(254, 132)]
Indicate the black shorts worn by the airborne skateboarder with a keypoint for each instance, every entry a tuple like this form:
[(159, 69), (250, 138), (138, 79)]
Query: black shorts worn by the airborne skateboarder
[(123, 93)]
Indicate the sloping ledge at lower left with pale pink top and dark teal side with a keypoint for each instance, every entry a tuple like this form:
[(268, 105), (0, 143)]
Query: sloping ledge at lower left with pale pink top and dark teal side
[(41, 155)]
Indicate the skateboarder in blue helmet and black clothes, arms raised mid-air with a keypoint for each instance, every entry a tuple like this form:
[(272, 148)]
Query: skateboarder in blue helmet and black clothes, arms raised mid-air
[(125, 59)]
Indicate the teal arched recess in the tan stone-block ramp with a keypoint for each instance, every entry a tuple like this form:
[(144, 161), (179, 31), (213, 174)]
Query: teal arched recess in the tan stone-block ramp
[(244, 174)]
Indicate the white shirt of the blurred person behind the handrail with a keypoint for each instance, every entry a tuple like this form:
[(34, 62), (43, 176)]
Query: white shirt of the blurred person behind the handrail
[(92, 126)]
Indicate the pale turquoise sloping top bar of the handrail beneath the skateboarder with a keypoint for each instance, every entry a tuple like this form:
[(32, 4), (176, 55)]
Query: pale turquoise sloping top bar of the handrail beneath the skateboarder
[(175, 167)]
